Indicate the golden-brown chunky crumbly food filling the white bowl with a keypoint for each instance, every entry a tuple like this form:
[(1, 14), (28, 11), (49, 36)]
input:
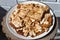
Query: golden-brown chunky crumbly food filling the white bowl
[(30, 19)]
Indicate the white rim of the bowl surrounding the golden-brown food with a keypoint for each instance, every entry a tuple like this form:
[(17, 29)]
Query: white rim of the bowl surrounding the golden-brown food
[(28, 2)]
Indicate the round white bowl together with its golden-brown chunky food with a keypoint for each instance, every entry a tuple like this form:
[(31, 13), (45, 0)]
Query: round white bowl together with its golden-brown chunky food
[(30, 20)]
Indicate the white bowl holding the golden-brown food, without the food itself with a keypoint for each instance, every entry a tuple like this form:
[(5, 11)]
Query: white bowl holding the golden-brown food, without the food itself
[(20, 36)]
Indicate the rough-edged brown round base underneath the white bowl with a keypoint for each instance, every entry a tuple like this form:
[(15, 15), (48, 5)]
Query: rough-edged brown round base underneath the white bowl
[(10, 36)]
